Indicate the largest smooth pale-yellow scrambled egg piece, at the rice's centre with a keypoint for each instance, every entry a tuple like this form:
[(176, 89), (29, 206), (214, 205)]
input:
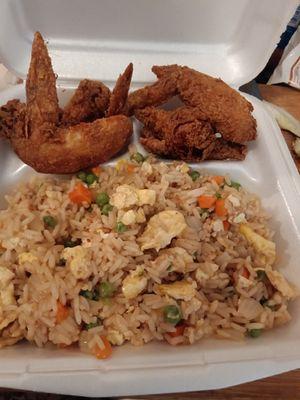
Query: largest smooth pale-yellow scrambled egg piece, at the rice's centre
[(161, 229)]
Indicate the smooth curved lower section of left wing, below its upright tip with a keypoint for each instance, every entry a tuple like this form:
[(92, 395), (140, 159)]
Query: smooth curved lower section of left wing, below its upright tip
[(77, 147)]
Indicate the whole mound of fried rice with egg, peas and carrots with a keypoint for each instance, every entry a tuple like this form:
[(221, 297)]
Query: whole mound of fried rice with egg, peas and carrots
[(92, 275)]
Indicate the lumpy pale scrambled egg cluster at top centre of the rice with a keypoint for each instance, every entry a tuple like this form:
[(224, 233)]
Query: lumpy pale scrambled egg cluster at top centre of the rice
[(127, 196)]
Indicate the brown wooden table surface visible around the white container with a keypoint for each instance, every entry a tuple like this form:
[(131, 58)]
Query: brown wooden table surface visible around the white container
[(284, 386)]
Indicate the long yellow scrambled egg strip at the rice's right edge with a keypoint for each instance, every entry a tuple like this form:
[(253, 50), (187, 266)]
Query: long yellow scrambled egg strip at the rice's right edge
[(261, 245)]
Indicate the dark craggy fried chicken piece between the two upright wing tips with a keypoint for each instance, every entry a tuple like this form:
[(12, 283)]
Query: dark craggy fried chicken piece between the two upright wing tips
[(89, 102)]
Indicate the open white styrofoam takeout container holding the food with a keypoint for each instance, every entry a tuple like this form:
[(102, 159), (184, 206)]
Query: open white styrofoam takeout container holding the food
[(97, 39)]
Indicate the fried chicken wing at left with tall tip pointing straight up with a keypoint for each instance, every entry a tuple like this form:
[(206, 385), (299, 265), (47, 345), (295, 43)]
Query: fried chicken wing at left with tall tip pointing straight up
[(39, 140)]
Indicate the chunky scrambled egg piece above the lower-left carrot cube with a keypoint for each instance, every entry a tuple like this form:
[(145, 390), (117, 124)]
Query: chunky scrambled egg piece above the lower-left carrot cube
[(78, 259)]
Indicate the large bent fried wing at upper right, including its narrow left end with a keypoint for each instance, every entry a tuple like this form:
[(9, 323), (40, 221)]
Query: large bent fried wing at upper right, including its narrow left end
[(228, 112)]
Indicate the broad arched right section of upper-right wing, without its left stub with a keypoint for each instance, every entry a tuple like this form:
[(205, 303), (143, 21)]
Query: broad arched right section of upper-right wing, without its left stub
[(228, 111)]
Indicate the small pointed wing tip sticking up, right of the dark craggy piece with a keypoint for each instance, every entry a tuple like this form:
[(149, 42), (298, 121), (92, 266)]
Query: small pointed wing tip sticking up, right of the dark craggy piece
[(119, 95)]
